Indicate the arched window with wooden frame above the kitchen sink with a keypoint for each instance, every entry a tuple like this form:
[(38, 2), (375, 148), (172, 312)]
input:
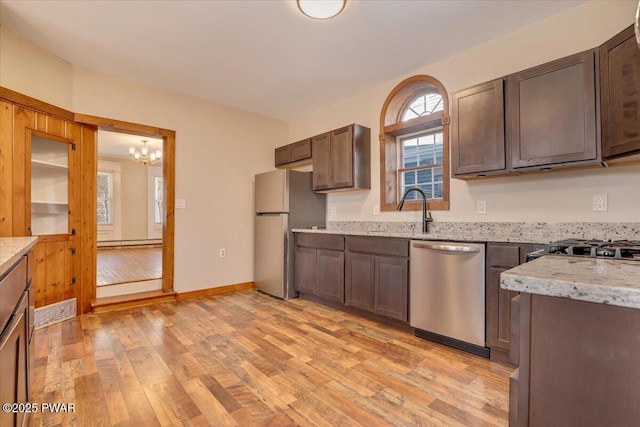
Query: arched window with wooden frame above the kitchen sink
[(414, 144)]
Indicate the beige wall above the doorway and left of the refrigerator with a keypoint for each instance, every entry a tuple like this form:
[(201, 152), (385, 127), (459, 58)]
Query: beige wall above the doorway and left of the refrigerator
[(219, 149)]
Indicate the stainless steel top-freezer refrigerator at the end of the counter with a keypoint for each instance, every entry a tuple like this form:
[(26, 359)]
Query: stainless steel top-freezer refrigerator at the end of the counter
[(284, 200)]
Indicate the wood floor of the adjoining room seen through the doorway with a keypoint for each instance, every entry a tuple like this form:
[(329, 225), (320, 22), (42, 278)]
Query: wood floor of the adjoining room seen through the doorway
[(128, 265)]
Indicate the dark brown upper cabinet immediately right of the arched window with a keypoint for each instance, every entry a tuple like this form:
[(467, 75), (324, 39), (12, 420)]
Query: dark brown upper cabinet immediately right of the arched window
[(477, 131)]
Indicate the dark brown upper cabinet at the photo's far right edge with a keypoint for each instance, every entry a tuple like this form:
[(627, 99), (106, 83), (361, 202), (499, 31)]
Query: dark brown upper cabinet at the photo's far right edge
[(620, 95)]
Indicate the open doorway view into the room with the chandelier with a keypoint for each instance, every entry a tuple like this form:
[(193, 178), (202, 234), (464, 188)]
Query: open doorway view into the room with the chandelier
[(129, 214)]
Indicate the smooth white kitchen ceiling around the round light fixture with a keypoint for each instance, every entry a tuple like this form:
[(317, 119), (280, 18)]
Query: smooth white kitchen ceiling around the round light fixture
[(265, 56)]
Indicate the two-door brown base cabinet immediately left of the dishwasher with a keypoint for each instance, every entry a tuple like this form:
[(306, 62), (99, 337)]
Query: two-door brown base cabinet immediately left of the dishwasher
[(376, 275)]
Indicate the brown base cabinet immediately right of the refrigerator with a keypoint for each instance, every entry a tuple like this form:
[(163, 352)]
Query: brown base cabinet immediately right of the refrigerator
[(319, 266)]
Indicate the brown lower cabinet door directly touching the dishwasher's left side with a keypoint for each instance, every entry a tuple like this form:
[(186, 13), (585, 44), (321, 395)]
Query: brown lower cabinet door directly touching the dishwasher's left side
[(391, 287)]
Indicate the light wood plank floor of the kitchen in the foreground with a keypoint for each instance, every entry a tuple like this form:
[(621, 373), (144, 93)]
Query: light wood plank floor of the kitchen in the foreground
[(247, 359)]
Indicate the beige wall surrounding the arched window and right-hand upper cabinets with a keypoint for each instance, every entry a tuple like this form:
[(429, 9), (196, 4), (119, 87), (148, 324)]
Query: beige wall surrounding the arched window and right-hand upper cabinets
[(553, 197)]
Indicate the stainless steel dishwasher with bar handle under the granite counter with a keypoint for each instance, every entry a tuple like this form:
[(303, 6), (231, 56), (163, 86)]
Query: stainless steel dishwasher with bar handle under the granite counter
[(447, 293)]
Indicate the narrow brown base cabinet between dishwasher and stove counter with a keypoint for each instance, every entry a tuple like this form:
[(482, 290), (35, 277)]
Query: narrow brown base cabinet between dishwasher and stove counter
[(501, 257)]
